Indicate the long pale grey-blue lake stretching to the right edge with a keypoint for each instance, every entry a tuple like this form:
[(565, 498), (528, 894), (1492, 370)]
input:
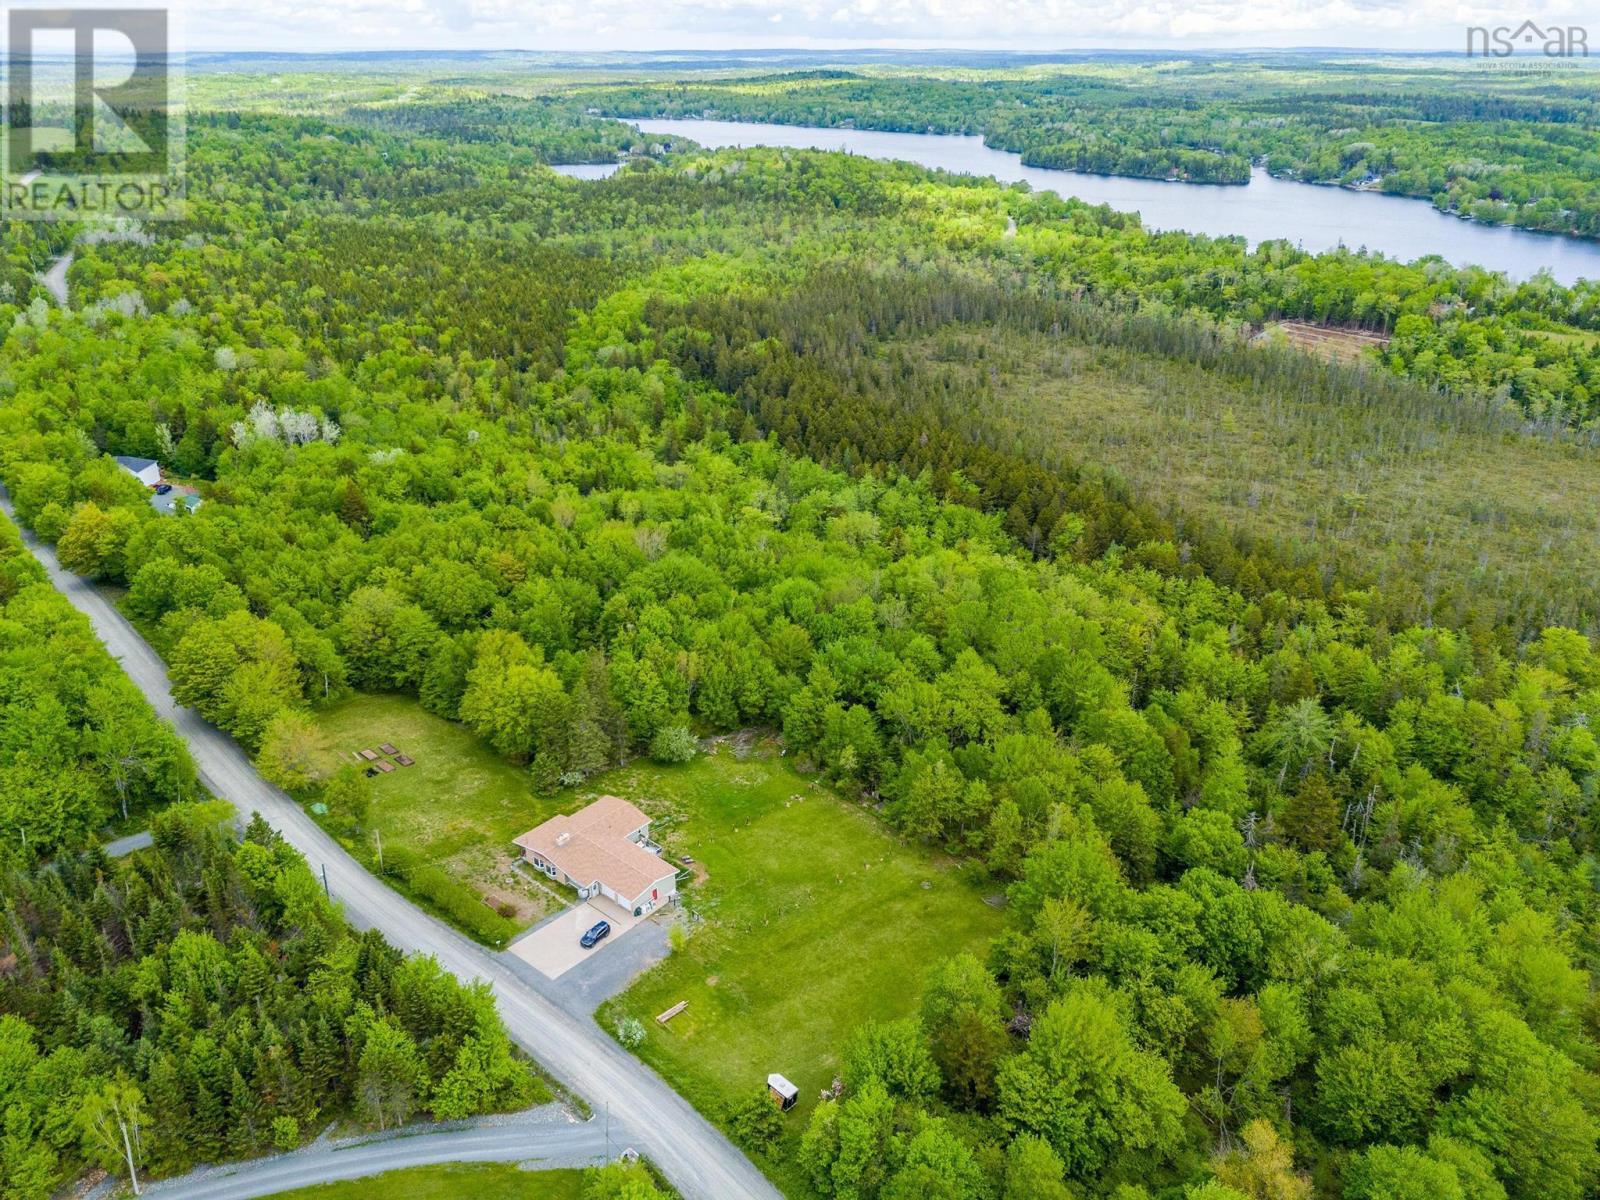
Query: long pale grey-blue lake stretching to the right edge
[(1306, 215)]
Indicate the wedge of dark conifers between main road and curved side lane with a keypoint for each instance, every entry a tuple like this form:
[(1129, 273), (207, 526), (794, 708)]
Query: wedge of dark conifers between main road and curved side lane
[(207, 1002)]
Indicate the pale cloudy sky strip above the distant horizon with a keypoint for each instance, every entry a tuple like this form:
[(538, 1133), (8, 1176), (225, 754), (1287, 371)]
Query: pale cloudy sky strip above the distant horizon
[(721, 25)]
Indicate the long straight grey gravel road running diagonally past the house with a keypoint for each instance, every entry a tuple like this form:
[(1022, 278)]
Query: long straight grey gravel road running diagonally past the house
[(698, 1159)]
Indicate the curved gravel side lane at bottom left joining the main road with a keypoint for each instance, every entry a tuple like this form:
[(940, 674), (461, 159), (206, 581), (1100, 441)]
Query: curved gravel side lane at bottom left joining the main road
[(545, 1138)]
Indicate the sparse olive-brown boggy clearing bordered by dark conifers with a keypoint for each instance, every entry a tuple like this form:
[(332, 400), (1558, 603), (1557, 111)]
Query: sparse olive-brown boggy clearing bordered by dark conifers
[(1433, 502)]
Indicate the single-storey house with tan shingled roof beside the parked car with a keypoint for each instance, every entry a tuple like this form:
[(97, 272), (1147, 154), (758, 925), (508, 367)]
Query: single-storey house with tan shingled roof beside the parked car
[(604, 850)]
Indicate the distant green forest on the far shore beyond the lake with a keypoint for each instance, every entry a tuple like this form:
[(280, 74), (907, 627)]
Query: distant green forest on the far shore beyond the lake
[(1495, 148)]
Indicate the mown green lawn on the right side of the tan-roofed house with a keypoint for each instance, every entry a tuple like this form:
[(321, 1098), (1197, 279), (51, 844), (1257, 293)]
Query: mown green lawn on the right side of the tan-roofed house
[(814, 919)]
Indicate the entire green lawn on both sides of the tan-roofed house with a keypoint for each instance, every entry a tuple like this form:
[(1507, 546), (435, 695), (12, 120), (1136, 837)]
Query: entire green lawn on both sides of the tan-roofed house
[(812, 919)]
